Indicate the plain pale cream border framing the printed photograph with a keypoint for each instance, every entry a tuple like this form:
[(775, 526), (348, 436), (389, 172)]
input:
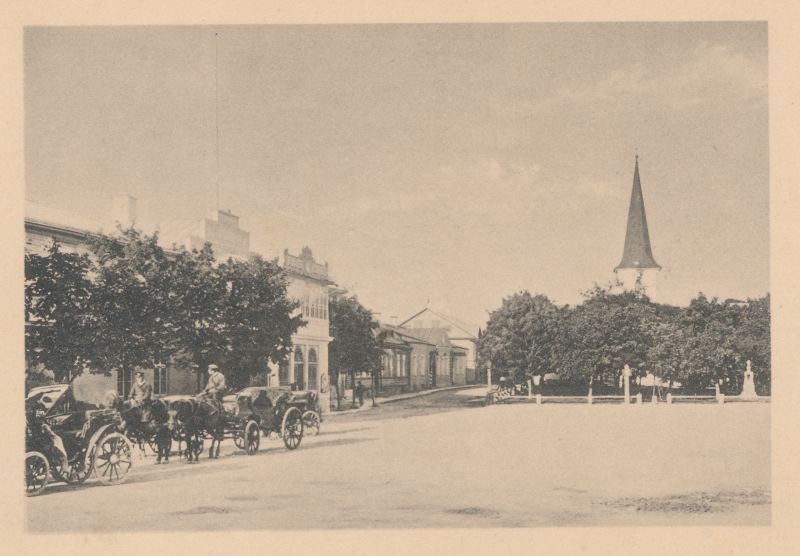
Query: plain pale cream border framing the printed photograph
[(784, 95)]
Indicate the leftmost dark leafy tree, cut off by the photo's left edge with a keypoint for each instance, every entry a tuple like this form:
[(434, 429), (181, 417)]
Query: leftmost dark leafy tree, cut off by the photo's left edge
[(58, 330)]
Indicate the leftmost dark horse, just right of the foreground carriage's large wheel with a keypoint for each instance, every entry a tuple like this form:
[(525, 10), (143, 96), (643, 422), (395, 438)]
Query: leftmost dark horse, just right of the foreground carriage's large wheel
[(150, 424)]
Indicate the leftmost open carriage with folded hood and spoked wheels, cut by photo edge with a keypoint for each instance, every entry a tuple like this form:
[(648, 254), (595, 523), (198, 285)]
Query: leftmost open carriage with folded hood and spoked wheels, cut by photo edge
[(69, 439)]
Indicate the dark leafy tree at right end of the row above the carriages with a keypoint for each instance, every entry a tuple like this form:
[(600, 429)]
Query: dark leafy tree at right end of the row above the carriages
[(256, 323)]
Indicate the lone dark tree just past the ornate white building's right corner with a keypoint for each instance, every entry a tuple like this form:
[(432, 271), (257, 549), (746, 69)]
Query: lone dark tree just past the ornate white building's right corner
[(354, 347)]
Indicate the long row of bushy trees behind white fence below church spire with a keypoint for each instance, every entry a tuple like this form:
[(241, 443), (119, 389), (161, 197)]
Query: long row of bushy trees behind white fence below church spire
[(697, 346)]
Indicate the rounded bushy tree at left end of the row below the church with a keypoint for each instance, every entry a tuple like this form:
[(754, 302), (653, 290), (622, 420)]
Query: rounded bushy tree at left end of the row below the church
[(520, 336)]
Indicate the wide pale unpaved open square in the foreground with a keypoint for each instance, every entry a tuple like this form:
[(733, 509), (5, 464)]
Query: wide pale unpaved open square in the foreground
[(445, 460)]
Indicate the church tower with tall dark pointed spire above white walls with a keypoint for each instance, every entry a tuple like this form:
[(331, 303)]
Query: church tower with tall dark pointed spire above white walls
[(638, 269)]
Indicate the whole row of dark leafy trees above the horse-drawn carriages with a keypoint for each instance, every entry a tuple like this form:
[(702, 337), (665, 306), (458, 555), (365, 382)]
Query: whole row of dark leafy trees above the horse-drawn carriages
[(131, 303)]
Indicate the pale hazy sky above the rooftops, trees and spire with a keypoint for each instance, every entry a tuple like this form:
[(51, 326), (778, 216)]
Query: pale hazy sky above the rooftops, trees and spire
[(453, 164)]
